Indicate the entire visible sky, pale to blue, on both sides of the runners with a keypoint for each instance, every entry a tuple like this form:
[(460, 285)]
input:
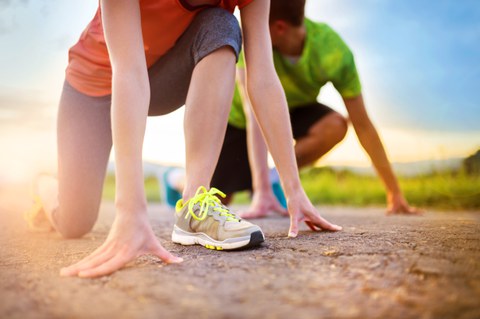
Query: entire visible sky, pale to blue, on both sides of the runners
[(419, 62)]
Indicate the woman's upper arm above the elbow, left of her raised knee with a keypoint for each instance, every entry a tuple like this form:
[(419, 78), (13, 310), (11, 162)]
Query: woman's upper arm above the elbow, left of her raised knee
[(123, 34)]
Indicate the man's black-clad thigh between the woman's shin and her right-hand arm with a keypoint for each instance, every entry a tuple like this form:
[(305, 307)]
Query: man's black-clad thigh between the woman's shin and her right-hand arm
[(232, 173)]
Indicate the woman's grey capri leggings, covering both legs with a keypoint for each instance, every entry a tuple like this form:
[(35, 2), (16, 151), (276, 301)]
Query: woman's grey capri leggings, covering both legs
[(84, 127)]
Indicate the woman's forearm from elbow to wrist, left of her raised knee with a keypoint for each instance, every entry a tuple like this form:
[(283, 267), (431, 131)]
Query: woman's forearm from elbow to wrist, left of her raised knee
[(130, 99)]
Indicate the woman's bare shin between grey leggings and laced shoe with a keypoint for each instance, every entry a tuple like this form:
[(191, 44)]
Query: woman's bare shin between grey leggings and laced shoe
[(206, 113)]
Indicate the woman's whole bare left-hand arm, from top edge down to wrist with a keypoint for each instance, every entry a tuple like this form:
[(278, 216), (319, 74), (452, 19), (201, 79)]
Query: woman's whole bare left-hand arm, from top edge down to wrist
[(130, 98)]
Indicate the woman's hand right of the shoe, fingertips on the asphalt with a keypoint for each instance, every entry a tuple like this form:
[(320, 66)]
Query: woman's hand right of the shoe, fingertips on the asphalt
[(302, 210)]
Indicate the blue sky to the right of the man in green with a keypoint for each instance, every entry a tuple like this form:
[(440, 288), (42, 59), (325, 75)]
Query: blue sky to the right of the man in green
[(420, 59)]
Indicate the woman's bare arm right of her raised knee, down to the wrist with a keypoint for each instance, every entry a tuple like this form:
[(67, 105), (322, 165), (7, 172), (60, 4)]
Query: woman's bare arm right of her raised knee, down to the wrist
[(266, 94)]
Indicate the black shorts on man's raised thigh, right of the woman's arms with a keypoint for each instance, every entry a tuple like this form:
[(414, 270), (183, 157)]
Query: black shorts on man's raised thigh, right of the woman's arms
[(304, 117)]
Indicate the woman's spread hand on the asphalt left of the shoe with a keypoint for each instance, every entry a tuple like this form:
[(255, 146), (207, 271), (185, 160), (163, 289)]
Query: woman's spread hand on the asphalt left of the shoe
[(130, 237)]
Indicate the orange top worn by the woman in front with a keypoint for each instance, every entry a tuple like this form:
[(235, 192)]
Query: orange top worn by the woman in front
[(163, 22)]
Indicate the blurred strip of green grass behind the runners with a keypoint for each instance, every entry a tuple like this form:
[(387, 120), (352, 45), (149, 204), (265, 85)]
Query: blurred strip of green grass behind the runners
[(445, 190)]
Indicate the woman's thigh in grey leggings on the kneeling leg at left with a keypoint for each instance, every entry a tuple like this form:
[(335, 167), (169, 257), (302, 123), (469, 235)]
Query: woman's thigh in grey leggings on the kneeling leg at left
[(84, 142)]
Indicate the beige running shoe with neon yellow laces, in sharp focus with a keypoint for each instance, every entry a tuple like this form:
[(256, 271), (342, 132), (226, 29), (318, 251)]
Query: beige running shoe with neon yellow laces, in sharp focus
[(205, 221)]
